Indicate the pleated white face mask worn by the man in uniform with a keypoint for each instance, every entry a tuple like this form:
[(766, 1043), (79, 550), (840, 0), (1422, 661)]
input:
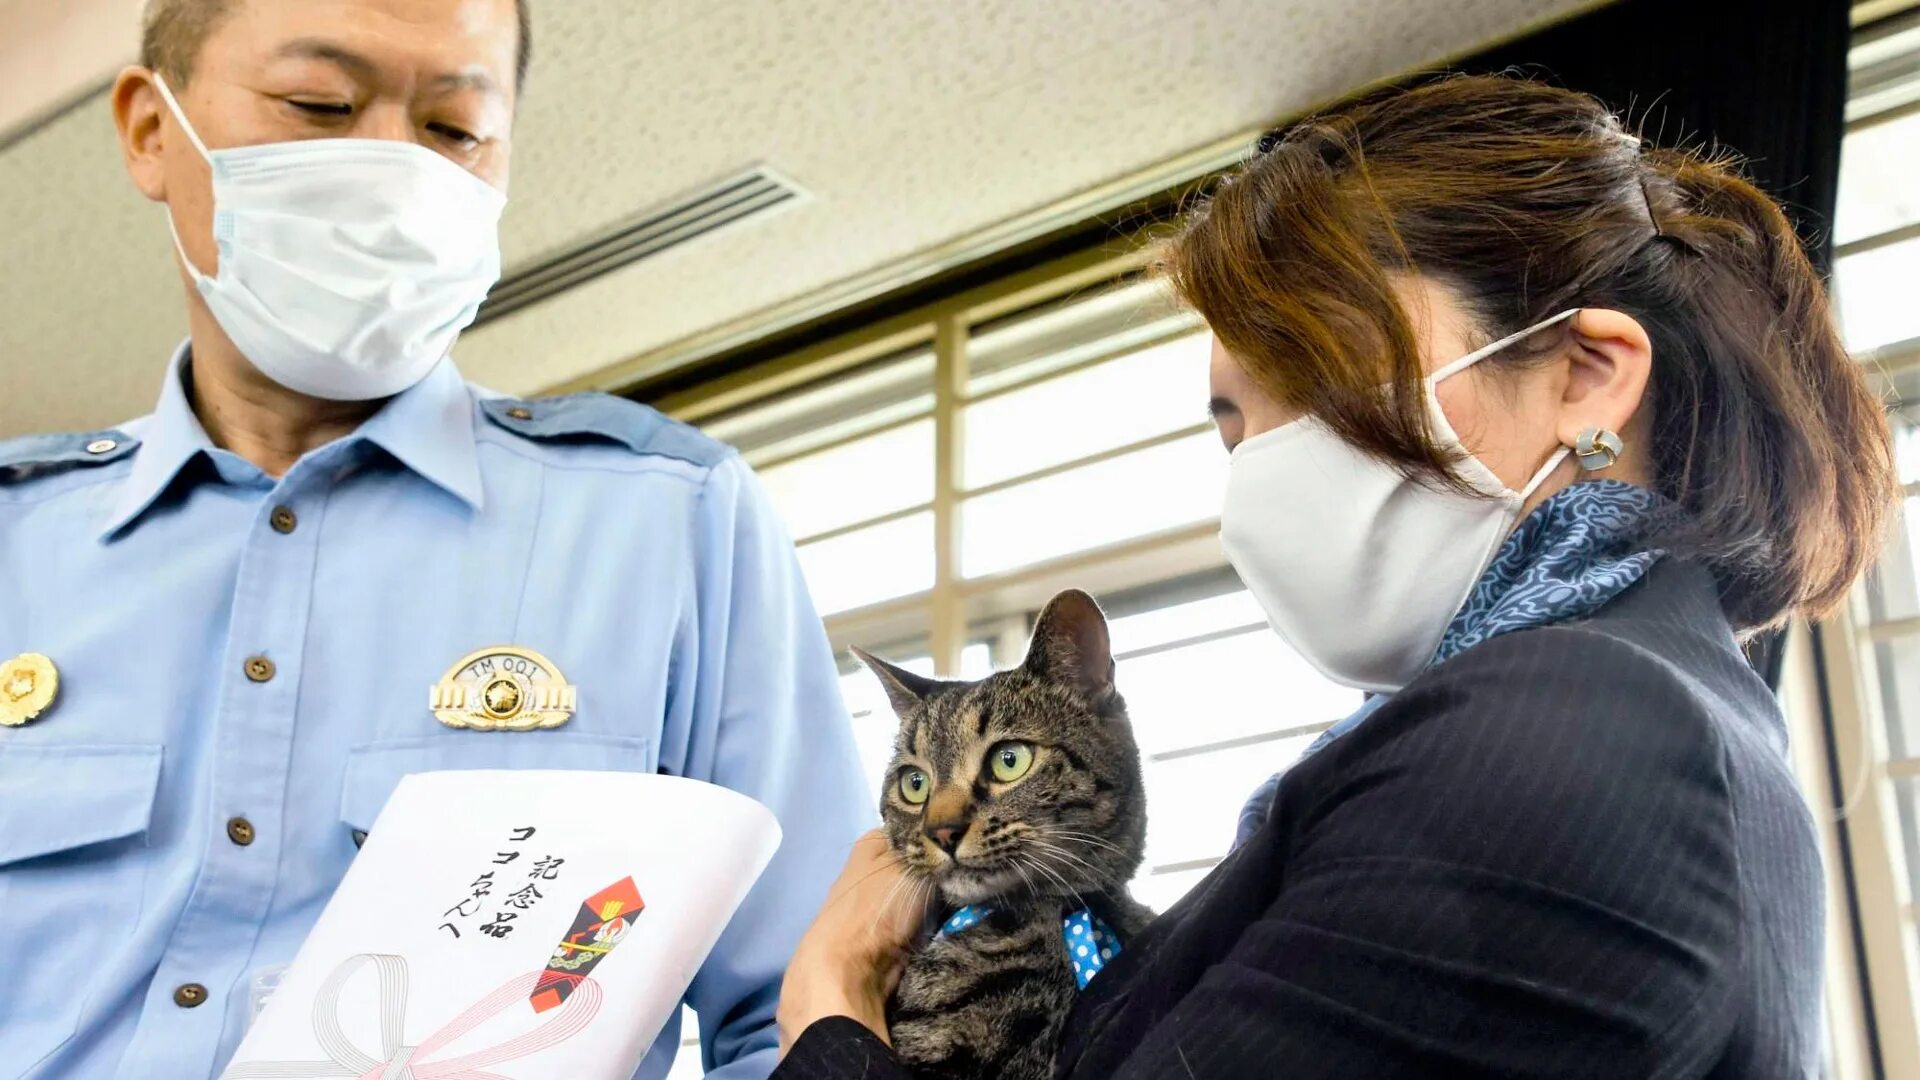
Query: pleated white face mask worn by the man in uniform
[(347, 266)]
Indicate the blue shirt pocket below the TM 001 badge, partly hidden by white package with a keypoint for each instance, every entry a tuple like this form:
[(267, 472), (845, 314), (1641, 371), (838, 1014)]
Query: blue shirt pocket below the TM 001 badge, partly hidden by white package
[(375, 770)]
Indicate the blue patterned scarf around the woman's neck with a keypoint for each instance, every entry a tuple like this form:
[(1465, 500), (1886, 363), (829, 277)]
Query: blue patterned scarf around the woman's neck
[(1566, 562)]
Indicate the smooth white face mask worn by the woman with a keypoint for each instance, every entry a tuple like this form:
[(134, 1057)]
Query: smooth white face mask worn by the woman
[(1356, 566)]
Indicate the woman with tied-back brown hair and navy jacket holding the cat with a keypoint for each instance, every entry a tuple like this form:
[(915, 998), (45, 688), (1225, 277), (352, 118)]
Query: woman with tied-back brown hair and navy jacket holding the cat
[(1529, 426)]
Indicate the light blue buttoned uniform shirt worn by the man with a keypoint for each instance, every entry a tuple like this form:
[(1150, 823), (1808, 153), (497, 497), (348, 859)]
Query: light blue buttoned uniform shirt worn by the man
[(180, 816)]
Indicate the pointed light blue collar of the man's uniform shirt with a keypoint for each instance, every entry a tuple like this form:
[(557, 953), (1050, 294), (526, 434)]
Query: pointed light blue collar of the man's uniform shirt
[(429, 430)]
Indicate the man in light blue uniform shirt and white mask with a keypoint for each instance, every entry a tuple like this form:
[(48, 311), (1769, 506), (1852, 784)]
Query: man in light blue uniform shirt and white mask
[(231, 626)]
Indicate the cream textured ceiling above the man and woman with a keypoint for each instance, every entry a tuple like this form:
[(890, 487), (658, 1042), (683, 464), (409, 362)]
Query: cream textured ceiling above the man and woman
[(917, 128)]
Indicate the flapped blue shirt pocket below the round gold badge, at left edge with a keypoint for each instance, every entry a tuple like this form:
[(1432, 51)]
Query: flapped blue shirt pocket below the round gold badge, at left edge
[(72, 877)]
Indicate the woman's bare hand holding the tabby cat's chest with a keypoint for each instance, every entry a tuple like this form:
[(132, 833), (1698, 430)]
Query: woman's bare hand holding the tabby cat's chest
[(852, 958)]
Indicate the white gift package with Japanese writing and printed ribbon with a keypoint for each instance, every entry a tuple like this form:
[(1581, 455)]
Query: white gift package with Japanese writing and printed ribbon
[(506, 925)]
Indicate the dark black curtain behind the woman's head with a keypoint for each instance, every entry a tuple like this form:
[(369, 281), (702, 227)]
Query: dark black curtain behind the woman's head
[(1765, 80)]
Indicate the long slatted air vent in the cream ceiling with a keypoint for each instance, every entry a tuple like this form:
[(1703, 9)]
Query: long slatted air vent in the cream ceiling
[(652, 232)]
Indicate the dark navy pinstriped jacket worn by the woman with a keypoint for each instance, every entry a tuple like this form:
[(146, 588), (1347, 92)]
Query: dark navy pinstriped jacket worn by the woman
[(1568, 852)]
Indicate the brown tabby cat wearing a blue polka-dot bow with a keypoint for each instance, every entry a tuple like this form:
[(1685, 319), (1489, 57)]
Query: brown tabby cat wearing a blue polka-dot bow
[(1017, 806)]
